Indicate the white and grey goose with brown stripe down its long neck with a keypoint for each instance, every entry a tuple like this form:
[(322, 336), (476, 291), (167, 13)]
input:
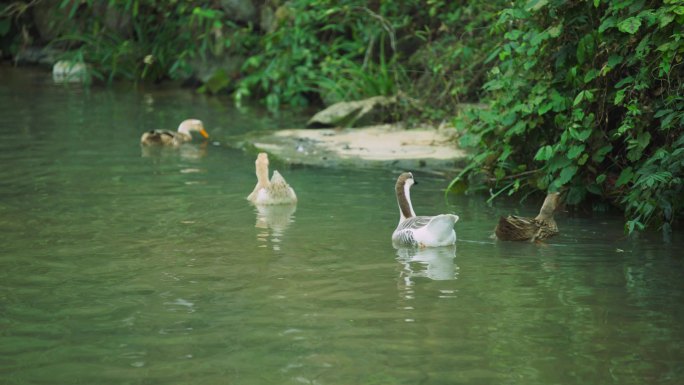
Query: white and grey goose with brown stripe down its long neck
[(420, 231)]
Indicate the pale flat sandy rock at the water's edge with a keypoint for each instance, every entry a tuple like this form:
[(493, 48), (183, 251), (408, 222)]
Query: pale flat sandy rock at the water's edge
[(377, 146)]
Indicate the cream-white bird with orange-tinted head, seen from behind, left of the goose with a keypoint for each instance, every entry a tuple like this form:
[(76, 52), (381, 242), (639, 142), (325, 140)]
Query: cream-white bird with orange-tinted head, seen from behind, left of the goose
[(270, 192)]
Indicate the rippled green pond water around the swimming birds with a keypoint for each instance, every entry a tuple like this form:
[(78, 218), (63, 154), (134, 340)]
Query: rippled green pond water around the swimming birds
[(118, 267)]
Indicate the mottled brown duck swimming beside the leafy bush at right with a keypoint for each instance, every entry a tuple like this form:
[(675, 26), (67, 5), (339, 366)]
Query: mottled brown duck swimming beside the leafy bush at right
[(539, 228)]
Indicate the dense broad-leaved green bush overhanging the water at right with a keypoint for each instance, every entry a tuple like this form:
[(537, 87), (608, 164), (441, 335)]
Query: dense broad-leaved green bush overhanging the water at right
[(588, 98)]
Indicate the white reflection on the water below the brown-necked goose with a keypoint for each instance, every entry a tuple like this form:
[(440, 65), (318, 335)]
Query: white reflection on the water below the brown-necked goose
[(432, 262)]
